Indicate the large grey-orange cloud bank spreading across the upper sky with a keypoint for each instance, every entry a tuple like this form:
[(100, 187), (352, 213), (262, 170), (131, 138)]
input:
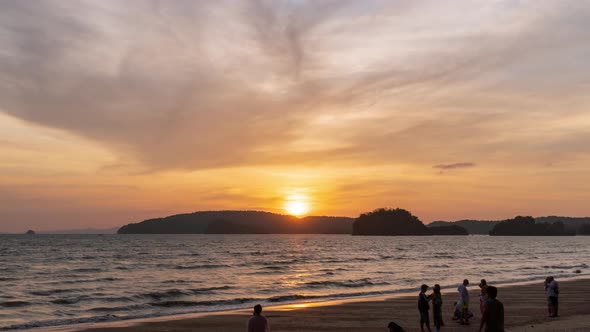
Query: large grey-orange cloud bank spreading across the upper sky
[(196, 85)]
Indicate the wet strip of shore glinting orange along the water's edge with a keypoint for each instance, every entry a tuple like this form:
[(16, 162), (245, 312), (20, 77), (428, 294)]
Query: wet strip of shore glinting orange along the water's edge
[(138, 324)]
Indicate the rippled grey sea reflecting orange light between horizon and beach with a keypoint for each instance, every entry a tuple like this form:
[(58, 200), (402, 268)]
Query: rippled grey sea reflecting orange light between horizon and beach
[(50, 280)]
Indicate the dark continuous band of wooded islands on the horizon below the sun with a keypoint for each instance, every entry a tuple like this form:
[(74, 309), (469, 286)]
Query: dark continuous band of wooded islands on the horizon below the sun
[(385, 222)]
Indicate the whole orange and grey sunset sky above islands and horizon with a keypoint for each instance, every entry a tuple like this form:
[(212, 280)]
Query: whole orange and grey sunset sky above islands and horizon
[(116, 111)]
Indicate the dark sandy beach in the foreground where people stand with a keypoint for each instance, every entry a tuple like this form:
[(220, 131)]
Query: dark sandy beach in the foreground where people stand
[(525, 307)]
